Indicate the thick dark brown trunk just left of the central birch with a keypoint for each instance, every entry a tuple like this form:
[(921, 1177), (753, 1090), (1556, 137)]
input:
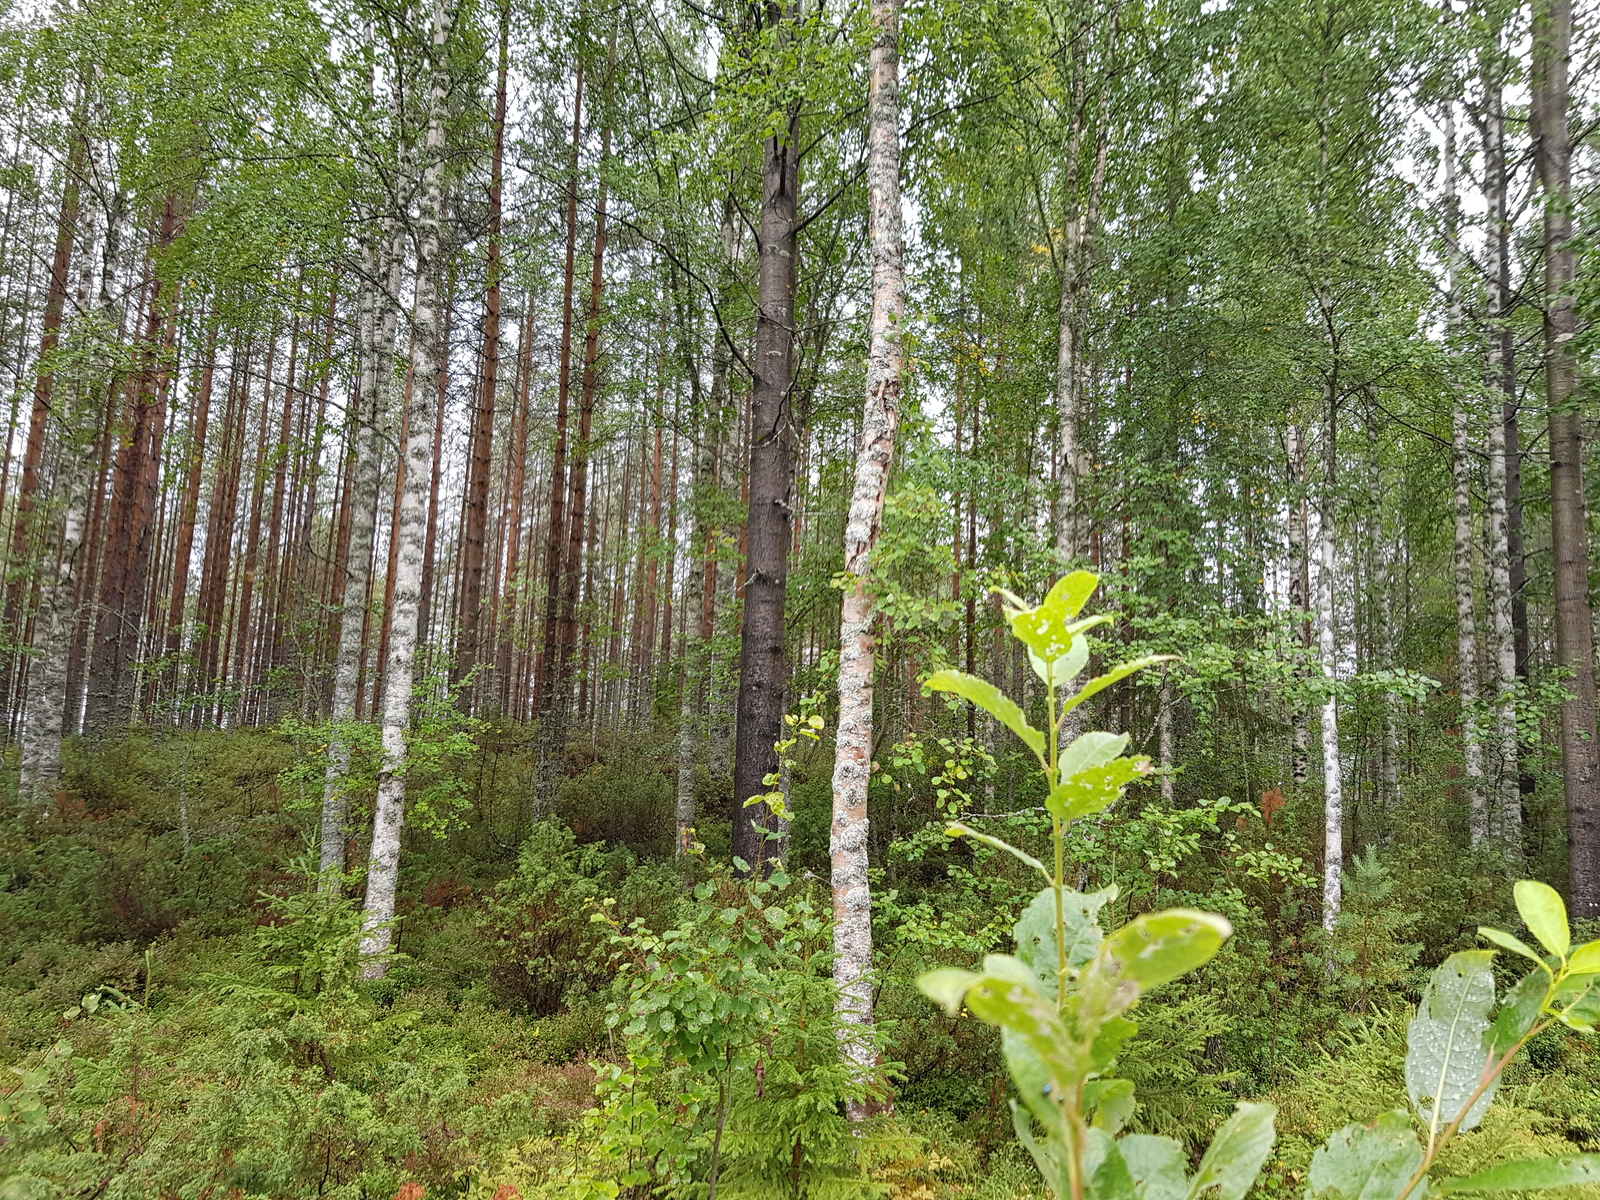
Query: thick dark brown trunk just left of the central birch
[(764, 673)]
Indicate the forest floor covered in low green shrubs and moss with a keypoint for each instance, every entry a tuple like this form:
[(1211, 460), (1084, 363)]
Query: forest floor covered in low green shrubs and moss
[(180, 1012)]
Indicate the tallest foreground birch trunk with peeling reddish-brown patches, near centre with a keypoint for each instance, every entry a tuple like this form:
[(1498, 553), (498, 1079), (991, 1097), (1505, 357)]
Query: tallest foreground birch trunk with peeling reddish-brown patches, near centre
[(858, 614)]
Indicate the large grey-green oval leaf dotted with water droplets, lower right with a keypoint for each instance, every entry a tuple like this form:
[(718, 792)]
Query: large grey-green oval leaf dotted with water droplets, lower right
[(1446, 1041)]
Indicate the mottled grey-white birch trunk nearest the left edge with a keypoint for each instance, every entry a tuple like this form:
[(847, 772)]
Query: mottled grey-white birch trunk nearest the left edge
[(54, 625)]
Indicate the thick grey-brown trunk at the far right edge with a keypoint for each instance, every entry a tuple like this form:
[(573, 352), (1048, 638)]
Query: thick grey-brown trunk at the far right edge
[(1569, 522)]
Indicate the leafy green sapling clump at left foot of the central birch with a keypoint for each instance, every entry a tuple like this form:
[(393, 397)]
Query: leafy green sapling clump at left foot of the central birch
[(730, 1076)]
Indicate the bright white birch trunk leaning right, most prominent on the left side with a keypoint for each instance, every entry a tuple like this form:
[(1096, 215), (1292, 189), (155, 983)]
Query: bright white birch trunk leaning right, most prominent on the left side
[(383, 865)]
